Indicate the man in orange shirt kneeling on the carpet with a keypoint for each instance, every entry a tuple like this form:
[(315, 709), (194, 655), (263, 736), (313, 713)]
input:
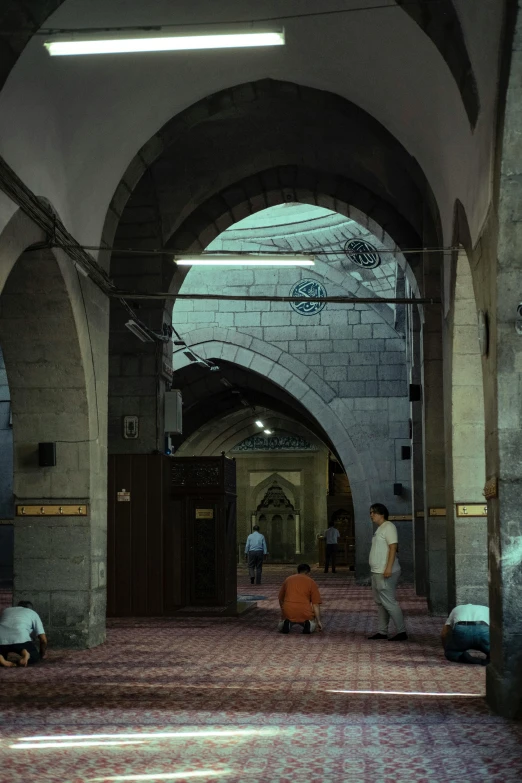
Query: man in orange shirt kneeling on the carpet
[(299, 600)]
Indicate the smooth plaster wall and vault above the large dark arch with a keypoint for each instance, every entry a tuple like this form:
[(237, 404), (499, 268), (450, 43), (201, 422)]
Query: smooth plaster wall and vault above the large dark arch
[(381, 49)]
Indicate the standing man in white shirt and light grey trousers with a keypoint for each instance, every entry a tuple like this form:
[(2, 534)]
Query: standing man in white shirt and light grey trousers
[(386, 571)]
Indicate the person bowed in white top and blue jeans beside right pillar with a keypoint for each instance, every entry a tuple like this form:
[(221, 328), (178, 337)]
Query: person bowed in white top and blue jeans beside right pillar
[(467, 628)]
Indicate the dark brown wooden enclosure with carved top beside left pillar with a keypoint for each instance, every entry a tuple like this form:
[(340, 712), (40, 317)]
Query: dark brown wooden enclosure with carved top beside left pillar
[(171, 534)]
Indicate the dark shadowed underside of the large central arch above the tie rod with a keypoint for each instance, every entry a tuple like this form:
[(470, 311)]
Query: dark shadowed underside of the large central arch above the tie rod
[(269, 136)]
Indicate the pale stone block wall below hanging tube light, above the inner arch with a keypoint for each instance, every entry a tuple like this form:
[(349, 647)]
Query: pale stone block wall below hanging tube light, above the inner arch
[(348, 354)]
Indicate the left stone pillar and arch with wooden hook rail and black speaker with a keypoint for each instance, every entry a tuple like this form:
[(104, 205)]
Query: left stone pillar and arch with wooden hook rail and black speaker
[(51, 363)]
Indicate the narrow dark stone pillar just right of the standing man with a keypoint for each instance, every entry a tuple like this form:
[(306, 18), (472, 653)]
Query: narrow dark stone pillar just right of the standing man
[(433, 440)]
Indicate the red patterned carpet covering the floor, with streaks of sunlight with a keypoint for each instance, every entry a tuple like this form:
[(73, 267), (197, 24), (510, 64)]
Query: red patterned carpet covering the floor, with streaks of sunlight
[(230, 699)]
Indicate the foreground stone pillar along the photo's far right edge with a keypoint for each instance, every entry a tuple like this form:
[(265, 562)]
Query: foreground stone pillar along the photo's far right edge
[(504, 674)]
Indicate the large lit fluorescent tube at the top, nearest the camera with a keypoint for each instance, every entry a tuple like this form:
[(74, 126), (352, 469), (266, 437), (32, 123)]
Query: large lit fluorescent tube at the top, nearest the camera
[(164, 43)]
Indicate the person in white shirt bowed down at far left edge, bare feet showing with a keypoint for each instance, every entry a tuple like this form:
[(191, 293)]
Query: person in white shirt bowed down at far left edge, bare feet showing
[(19, 625)]
